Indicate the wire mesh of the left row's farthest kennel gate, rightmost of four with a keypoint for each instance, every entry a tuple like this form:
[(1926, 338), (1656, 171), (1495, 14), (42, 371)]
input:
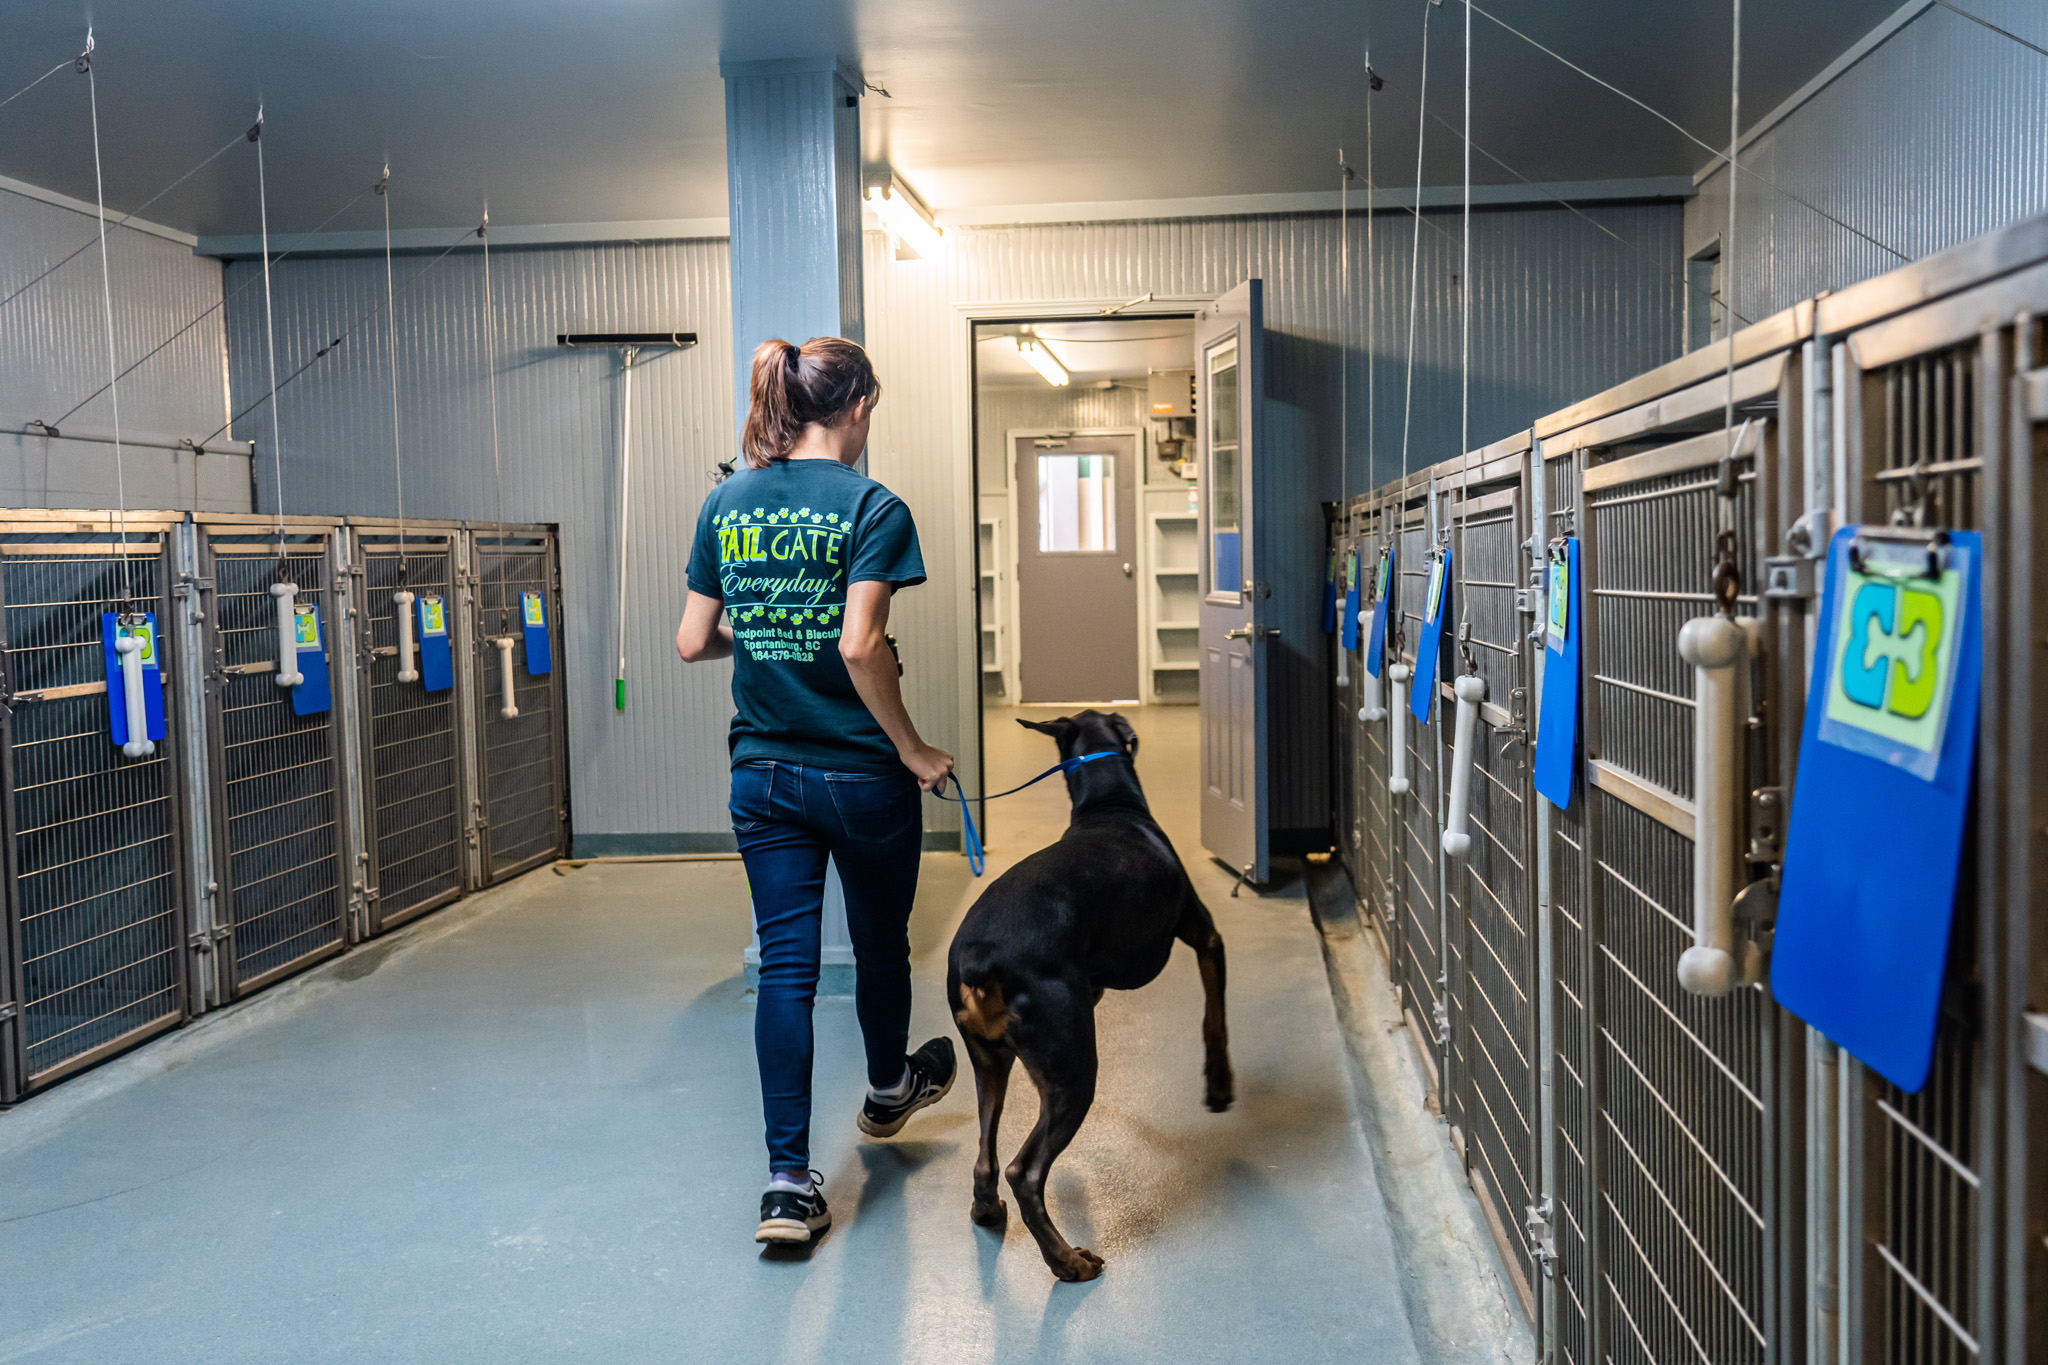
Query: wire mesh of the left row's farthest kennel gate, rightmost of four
[(525, 797)]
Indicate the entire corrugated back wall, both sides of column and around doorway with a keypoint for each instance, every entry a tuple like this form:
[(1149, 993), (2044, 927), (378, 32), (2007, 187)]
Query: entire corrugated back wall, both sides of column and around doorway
[(1562, 312)]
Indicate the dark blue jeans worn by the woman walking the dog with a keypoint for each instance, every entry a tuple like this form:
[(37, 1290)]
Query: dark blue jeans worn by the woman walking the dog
[(787, 820)]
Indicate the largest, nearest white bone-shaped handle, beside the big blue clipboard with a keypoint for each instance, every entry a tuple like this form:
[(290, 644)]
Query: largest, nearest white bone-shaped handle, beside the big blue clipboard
[(1715, 648)]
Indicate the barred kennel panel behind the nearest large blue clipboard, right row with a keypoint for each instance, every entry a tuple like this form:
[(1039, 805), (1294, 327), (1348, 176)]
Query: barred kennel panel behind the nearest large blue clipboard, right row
[(1924, 1157)]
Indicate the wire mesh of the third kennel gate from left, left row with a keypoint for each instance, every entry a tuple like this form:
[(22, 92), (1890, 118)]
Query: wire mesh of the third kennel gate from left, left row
[(411, 744)]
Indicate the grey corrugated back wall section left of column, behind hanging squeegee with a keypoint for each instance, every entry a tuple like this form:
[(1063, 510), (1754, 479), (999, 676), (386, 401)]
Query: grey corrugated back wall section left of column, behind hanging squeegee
[(660, 766)]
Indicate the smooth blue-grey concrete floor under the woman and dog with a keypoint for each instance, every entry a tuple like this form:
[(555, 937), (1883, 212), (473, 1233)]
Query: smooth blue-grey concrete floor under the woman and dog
[(531, 1133)]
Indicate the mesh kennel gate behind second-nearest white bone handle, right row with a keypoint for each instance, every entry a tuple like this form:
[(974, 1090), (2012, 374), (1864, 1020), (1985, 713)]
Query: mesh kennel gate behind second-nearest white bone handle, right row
[(1490, 891)]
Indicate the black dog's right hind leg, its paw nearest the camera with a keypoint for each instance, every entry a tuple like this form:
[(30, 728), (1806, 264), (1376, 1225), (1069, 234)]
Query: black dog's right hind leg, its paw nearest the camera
[(1060, 1055)]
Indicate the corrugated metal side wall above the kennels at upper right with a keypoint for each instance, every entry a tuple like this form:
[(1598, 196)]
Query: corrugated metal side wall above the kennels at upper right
[(1936, 136)]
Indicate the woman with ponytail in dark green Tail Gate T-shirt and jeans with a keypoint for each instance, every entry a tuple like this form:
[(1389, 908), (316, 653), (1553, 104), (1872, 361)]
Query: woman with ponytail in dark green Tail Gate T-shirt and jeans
[(792, 576)]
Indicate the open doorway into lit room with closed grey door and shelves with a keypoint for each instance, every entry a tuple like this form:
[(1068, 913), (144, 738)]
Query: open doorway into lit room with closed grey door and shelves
[(1086, 511)]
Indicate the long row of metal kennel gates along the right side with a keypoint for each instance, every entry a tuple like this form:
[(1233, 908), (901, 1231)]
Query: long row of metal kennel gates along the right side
[(1705, 1180)]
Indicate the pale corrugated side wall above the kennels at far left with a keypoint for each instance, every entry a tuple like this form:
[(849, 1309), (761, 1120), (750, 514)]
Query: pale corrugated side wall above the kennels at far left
[(54, 353)]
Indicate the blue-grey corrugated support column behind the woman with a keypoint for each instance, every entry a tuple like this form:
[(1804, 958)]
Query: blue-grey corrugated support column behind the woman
[(794, 191)]
